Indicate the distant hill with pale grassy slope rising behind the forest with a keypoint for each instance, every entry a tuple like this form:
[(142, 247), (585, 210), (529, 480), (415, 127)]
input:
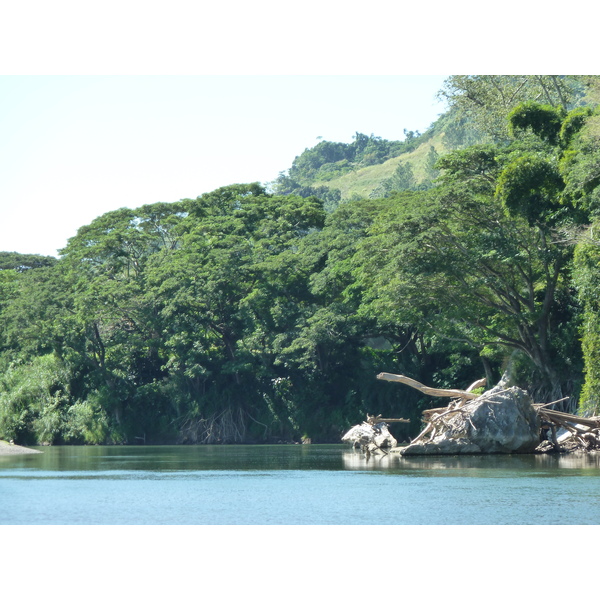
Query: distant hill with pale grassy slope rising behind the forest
[(374, 167)]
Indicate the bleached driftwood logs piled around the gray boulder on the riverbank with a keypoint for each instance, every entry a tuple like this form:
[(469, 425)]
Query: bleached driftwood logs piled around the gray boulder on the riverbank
[(501, 420)]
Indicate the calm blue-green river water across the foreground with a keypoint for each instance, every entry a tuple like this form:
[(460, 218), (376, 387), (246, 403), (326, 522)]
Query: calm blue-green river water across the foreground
[(292, 485)]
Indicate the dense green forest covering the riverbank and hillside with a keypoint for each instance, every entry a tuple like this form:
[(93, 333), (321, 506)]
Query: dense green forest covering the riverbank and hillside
[(260, 313)]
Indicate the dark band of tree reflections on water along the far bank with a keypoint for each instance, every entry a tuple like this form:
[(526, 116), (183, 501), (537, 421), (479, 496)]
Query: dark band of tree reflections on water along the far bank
[(334, 457)]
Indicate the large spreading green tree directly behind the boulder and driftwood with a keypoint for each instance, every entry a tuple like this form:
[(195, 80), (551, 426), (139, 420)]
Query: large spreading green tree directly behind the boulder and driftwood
[(456, 264)]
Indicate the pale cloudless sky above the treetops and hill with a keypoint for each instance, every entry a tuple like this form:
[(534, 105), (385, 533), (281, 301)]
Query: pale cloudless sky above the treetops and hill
[(75, 147)]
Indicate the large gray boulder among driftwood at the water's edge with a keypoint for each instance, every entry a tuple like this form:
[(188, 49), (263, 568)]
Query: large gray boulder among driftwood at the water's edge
[(499, 421)]
